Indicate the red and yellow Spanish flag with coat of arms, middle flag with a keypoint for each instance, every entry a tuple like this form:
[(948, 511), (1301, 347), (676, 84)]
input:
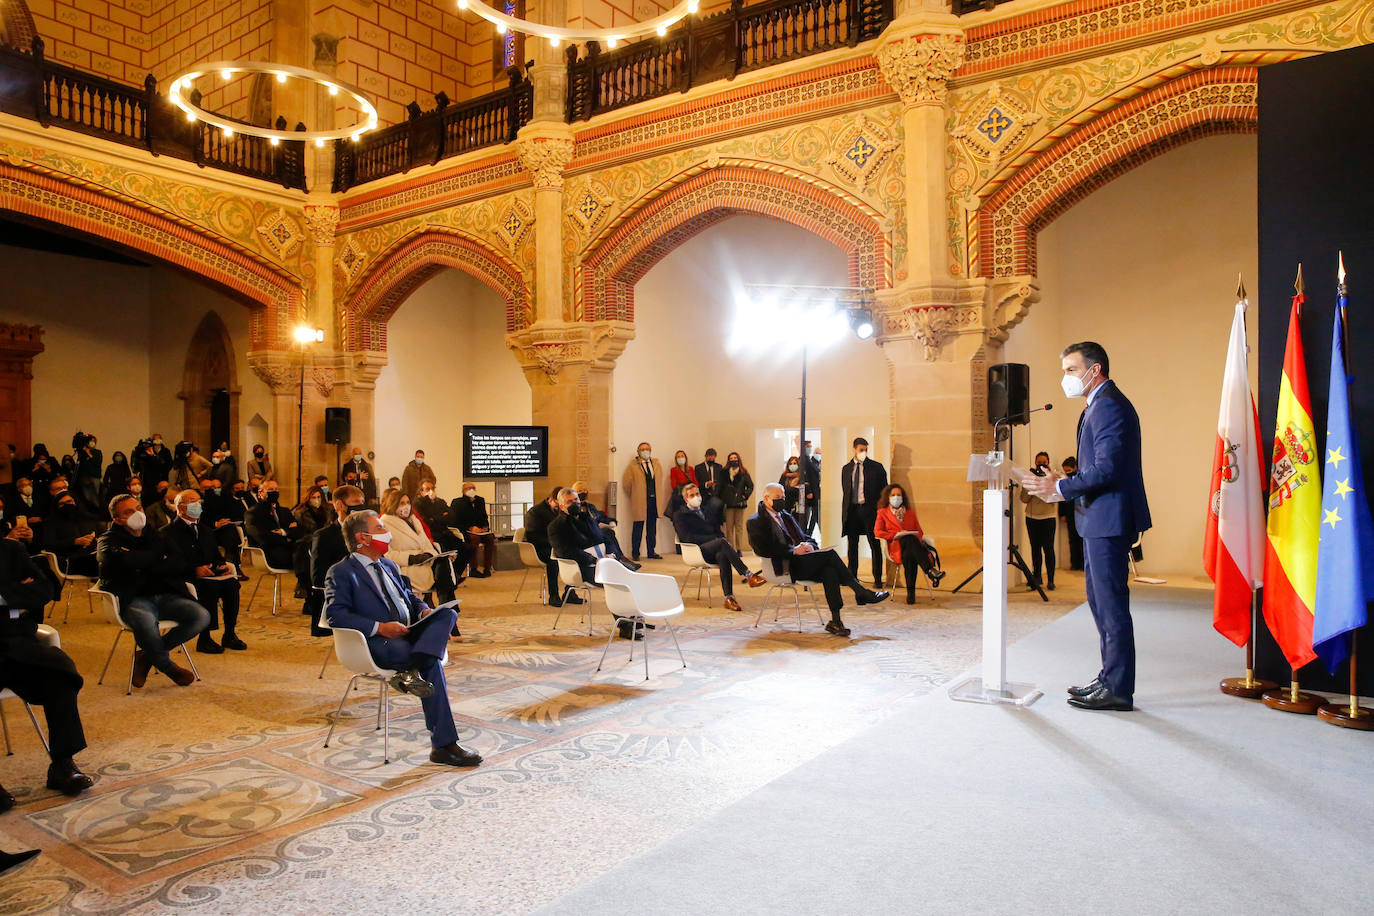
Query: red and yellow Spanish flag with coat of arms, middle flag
[(1295, 520)]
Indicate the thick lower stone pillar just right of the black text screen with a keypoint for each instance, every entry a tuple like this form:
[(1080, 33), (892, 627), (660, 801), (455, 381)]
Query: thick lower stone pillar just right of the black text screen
[(570, 373)]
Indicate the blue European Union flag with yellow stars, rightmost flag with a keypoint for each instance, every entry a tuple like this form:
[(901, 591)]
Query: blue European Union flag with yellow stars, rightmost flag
[(1346, 551)]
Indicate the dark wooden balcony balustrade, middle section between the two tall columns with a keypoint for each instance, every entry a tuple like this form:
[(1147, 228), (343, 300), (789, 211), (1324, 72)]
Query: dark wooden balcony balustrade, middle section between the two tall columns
[(428, 137)]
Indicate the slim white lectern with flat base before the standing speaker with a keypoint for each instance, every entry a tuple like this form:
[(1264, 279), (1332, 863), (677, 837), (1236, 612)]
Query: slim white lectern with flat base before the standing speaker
[(994, 687)]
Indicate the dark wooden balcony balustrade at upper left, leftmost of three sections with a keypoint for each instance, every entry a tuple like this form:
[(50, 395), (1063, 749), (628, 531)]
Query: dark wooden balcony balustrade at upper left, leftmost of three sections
[(57, 95)]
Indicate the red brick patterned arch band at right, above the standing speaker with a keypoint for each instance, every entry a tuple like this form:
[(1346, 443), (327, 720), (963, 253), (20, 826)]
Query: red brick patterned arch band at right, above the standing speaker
[(1181, 111)]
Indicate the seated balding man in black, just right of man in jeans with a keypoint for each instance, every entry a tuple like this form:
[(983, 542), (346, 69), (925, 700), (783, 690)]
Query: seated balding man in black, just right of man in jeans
[(192, 540)]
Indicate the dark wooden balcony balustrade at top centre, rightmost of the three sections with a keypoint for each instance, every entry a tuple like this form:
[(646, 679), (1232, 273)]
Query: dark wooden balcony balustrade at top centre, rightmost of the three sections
[(740, 39)]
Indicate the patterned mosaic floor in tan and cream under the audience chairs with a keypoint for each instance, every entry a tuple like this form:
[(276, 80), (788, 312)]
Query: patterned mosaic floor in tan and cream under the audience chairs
[(221, 799)]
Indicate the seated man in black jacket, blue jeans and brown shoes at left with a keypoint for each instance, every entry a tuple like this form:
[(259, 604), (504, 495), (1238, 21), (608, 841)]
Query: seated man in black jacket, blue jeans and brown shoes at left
[(138, 568)]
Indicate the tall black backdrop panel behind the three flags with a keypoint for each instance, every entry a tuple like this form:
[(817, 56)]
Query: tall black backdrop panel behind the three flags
[(1317, 198)]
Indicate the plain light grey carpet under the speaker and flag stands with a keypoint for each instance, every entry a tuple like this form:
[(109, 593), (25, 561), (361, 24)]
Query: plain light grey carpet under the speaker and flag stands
[(1195, 803)]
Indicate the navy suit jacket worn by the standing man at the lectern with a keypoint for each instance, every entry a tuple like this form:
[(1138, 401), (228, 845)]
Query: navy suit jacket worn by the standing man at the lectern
[(1110, 491)]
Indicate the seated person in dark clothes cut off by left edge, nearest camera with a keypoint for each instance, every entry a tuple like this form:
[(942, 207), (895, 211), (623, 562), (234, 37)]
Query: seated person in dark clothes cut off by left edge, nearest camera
[(38, 674)]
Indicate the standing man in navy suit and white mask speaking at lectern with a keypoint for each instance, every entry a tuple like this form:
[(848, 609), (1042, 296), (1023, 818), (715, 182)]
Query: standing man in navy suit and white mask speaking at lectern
[(1110, 510)]
